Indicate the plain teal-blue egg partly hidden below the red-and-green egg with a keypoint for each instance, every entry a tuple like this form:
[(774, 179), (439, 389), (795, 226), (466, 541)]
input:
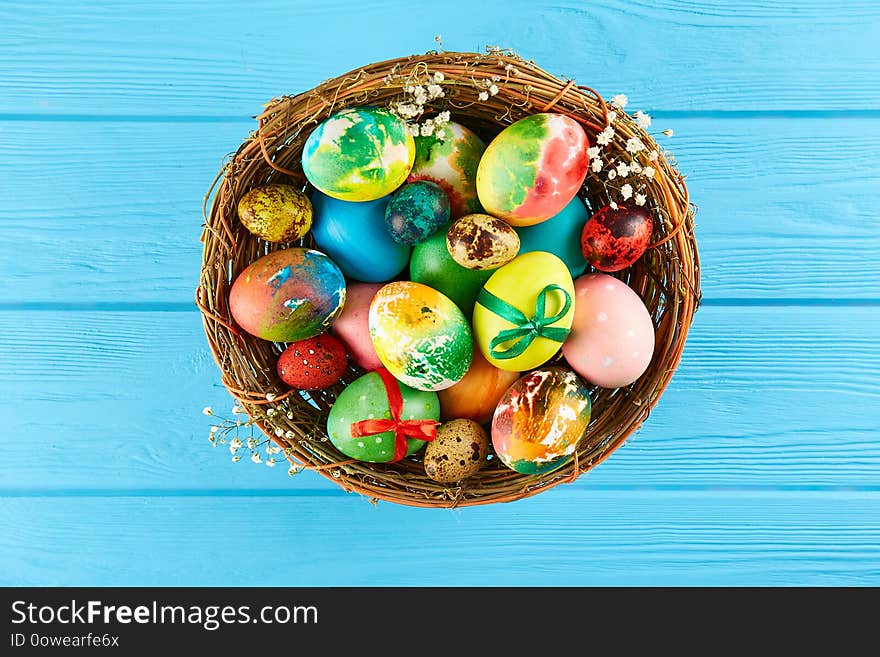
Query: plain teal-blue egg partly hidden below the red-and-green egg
[(559, 235)]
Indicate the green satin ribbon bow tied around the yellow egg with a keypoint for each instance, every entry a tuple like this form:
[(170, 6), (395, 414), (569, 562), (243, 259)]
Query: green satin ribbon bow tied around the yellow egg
[(525, 330)]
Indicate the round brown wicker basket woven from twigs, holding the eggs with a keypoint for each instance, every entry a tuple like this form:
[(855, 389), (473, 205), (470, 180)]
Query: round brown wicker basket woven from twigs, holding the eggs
[(666, 277)]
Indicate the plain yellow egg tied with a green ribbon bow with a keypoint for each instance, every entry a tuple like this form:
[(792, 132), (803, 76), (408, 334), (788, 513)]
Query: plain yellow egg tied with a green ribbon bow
[(519, 284)]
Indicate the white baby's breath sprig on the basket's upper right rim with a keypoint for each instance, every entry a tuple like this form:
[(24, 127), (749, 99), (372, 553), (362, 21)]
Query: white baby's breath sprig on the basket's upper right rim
[(624, 179)]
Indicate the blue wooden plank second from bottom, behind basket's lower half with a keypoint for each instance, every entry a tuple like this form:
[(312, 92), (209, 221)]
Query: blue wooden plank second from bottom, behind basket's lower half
[(776, 397)]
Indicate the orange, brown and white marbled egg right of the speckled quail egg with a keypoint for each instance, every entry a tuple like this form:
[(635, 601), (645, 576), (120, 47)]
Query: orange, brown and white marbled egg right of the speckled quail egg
[(540, 419)]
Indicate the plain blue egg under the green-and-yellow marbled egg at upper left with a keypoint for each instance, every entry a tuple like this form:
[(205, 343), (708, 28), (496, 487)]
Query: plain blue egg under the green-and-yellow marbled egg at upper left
[(354, 235)]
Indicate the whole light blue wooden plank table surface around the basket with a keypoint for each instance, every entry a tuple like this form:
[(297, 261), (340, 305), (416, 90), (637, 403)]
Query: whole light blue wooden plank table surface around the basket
[(761, 463)]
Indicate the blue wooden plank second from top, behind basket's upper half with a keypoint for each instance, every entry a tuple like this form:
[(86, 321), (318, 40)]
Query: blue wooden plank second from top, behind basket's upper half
[(113, 210)]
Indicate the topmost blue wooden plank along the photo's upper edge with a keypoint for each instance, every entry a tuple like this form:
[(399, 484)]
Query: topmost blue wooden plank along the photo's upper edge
[(225, 58)]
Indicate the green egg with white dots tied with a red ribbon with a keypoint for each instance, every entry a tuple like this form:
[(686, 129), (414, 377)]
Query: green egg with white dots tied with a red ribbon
[(366, 398)]
